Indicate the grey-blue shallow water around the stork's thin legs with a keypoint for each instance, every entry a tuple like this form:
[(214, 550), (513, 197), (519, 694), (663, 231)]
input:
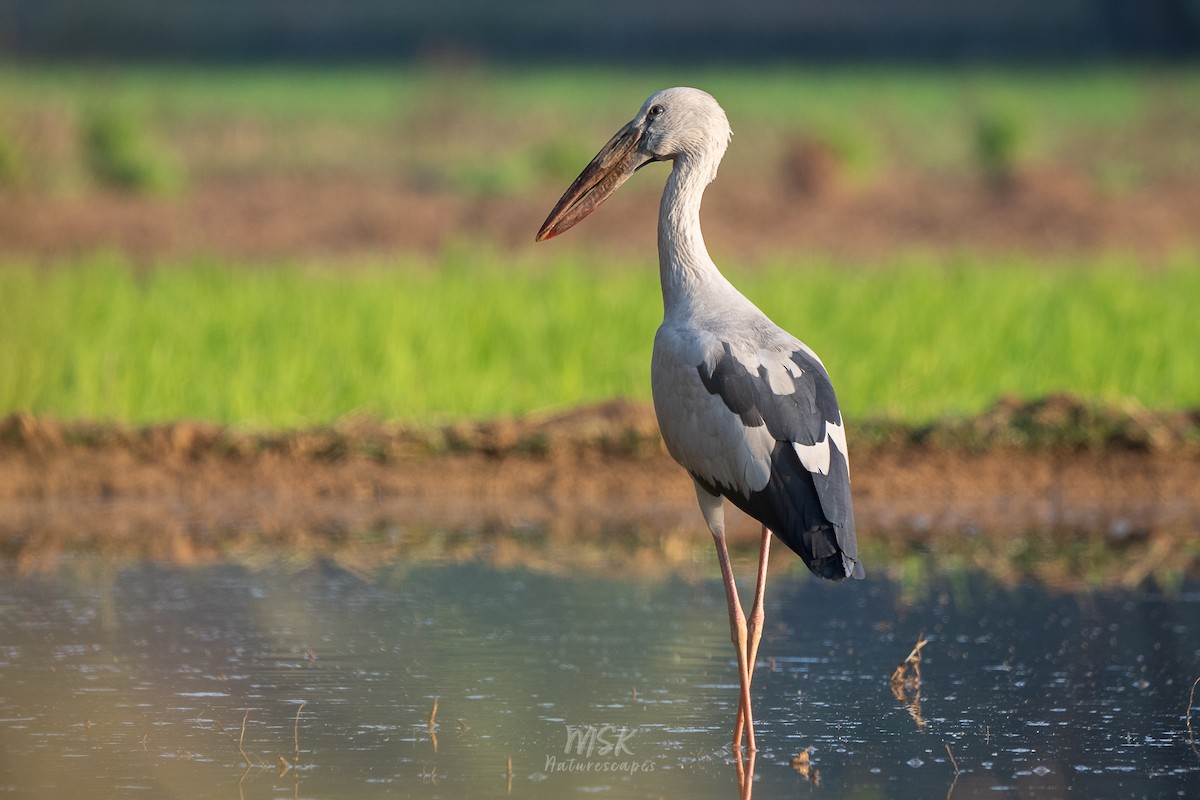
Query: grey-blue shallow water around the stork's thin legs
[(135, 681)]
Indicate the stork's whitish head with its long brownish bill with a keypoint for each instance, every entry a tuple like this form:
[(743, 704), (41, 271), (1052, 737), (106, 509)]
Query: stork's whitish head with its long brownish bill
[(682, 125)]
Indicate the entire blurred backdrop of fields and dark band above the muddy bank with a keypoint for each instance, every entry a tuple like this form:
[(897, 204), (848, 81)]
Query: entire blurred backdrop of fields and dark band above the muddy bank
[(211, 149)]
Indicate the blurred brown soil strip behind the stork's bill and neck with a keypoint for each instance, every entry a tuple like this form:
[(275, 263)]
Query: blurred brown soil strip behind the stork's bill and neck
[(1052, 213)]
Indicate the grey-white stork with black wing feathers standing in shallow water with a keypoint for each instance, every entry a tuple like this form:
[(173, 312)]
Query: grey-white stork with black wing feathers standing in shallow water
[(746, 407)]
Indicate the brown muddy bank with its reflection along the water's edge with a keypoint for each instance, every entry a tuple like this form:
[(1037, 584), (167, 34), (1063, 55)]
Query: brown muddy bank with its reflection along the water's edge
[(1037, 483)]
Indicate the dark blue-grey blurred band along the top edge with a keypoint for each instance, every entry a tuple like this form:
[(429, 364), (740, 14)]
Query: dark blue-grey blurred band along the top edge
[(537, 31)]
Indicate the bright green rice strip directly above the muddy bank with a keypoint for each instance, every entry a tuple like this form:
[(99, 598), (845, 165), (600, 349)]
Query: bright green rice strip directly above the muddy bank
[(286, 346)]
